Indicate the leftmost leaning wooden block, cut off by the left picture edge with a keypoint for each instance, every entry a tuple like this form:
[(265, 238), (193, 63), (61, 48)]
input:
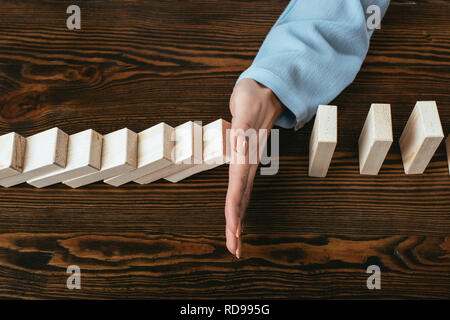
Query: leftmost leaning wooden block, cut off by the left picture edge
[(12, 153)]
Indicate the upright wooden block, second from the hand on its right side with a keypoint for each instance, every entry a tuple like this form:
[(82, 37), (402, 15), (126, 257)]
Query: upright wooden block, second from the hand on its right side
[(375, 139)]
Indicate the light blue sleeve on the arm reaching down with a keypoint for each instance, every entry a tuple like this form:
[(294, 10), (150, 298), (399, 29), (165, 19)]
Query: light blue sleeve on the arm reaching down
[(312, 53)]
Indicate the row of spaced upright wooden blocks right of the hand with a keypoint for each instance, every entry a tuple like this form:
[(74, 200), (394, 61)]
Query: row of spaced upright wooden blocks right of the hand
[(418, 142)]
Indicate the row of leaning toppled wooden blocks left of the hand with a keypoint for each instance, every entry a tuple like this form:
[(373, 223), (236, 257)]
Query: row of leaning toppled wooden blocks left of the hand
[(119, 157)]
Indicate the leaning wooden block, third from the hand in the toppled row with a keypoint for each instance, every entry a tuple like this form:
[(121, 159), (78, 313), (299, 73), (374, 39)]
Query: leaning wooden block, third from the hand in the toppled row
[(155, 147)]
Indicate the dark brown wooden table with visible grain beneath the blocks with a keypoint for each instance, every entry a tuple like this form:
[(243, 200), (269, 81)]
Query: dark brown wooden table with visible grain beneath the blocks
[(137, 63)]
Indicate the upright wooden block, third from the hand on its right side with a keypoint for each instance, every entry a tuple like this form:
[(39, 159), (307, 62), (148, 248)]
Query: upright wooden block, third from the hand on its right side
[(421, 137)]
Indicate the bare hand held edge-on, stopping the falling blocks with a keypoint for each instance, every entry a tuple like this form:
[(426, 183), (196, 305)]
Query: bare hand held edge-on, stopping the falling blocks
[(253, 106)]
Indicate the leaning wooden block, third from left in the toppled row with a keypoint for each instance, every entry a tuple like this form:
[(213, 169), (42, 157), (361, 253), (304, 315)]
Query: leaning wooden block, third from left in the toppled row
[(84, 155)]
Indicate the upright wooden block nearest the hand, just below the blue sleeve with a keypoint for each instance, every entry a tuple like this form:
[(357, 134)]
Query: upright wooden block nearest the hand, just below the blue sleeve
[(323, 141)]
